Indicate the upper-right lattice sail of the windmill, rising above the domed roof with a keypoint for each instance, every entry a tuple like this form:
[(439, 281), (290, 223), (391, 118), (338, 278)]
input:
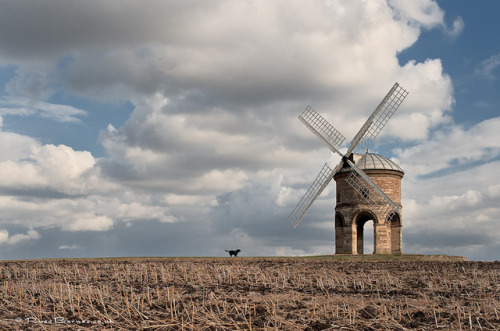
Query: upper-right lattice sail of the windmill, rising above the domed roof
[(378, 119)]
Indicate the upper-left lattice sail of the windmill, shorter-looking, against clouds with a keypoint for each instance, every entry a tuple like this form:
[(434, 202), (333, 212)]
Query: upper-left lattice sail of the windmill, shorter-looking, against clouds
[(322, 129)]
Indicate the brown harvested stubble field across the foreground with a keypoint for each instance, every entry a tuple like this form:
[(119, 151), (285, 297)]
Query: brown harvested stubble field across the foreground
[(248, 294)]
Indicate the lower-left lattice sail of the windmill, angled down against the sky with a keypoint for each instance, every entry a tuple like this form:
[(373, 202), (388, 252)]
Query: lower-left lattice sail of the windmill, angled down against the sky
[(322, 180)]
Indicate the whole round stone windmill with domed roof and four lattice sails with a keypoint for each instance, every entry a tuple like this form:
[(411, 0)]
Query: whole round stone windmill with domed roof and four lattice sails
[(368, 185)]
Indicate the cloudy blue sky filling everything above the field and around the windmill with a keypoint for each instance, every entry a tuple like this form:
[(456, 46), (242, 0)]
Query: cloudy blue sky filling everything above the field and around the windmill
[(169, 128)]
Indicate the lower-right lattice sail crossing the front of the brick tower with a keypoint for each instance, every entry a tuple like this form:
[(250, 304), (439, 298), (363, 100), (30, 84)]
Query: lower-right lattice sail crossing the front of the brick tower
[(371, 193)]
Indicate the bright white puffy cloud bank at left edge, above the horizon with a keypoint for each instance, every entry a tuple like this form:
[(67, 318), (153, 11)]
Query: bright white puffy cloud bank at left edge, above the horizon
[(56, 186)]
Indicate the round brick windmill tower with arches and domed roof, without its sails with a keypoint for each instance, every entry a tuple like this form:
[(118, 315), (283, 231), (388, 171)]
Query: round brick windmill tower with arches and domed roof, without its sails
[(353, 211)]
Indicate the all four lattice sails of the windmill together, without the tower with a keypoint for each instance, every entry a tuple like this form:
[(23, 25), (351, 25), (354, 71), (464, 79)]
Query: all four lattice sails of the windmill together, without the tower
[(356, 178)]
